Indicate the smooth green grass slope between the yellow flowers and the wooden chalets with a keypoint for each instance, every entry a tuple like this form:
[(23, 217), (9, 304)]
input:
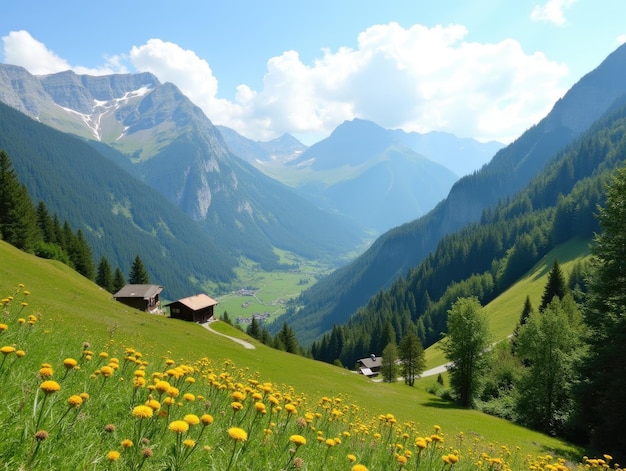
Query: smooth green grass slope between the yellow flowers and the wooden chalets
[(74, 310)]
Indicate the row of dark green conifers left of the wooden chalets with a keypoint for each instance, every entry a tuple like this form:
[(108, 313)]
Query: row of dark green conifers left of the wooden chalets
[(33, 229)]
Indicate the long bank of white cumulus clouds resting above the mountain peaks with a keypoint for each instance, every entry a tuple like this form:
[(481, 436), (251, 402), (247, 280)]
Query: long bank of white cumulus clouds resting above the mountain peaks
[(417, 79)]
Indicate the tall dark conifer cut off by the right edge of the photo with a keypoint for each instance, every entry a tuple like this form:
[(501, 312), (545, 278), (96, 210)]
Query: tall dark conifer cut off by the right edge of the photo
[(603, 392)]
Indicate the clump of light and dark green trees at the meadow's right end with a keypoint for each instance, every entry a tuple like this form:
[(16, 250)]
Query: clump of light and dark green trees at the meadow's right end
[(562, 371)]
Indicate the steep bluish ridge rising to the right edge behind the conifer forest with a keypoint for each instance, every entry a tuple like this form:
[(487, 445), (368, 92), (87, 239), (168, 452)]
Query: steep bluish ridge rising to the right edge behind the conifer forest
[(336, 297)]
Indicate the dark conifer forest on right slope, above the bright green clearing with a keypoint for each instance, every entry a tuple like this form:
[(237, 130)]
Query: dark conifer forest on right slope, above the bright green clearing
[(485, 258)]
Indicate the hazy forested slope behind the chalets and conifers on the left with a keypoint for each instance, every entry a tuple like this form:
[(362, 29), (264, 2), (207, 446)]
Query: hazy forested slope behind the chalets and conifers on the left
[(119, 216)]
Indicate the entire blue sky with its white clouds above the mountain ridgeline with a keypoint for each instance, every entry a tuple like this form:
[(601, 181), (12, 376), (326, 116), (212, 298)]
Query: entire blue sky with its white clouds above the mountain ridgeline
[(487, 69)]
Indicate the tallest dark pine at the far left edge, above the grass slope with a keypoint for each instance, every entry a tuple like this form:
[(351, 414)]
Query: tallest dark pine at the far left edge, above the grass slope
[(18, 217)]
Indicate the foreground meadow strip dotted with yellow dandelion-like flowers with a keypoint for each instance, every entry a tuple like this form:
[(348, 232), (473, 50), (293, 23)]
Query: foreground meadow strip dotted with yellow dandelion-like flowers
[(110, 407)]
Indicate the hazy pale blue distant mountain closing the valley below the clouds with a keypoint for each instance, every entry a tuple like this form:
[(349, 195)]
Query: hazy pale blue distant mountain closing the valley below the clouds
[(361, 170)]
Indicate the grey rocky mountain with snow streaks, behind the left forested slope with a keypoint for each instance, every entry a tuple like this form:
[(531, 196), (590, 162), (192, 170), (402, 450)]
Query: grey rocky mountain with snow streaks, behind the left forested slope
[(158, 135)]
